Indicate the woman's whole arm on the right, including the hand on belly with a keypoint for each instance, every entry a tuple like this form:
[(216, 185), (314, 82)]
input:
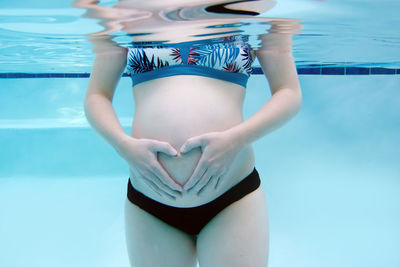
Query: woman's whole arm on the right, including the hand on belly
[(220, 148)]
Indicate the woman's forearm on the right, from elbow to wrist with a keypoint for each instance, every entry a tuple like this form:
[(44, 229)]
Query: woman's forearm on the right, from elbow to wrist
[(280, 108)]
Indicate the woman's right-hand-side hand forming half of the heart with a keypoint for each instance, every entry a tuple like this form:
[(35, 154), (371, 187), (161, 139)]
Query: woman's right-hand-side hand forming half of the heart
[(219, 149)]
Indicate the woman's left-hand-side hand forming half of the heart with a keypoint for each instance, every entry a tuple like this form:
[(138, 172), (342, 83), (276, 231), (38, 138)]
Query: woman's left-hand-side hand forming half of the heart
[(141, 155)]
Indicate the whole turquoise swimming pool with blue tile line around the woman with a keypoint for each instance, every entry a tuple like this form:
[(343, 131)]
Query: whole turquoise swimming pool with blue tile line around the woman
[(331, 175)]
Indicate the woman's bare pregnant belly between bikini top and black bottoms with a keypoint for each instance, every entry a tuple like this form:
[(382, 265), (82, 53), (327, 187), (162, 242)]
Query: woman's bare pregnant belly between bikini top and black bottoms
[(181, 107)]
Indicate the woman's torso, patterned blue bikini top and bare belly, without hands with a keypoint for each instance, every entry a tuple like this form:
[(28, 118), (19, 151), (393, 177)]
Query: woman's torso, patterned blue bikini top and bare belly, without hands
[(177, 107)]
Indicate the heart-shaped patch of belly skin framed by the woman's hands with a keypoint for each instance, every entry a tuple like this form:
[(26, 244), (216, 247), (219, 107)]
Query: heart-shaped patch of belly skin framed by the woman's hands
[(182, 166)]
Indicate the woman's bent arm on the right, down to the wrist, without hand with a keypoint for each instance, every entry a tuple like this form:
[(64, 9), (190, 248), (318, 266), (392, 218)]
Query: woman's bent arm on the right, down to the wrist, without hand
[(276, 60)]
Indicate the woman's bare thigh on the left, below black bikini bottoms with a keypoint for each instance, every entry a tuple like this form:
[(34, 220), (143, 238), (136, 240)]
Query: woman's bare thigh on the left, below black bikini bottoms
[(153, 243)]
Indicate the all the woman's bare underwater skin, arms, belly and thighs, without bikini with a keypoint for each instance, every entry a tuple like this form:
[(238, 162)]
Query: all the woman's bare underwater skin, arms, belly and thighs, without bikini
[(188, 145)]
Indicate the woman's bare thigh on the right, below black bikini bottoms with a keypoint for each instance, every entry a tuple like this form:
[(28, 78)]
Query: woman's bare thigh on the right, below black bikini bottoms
[(238, 236)]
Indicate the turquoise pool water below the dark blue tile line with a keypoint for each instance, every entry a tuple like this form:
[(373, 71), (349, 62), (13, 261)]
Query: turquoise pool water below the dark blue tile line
[(331, 176)]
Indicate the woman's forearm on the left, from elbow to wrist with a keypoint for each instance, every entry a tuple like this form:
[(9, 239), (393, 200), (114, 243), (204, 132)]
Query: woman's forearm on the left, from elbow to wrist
[(101, 115)]
